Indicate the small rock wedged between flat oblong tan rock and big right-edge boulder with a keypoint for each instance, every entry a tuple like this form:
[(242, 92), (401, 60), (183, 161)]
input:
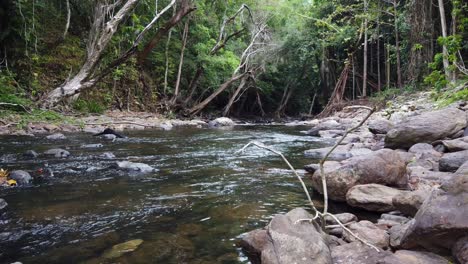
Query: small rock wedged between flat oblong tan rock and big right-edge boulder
[(409, 202)]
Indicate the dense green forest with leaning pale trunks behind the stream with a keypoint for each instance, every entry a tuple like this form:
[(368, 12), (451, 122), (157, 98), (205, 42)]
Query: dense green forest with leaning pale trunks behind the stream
[(232, 58)]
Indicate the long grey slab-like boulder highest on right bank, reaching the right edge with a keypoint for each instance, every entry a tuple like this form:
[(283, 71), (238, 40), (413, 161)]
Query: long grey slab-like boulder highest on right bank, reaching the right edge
[(426, 128)]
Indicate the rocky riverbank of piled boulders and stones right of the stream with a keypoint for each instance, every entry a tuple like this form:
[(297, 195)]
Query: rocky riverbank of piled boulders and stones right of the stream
[(408, 162)]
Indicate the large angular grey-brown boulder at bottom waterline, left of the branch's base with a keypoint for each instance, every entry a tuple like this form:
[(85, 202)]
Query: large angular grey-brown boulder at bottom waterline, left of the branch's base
[(285, 241)]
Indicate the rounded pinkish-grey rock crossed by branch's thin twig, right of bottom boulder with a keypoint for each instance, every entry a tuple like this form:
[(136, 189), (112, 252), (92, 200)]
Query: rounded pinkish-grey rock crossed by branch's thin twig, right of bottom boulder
[(368, 232)]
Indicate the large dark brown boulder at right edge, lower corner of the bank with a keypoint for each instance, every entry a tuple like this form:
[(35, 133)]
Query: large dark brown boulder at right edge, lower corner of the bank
[(441, 220)]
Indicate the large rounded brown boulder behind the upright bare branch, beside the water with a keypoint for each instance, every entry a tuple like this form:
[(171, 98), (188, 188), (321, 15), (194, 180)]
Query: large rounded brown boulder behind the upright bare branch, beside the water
[(386, 167)]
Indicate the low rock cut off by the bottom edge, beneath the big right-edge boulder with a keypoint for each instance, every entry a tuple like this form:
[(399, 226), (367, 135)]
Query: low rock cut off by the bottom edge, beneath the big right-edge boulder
[(414, 257)]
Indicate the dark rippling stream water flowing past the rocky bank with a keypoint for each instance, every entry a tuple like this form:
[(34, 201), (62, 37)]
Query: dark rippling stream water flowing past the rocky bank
[(193, 210)]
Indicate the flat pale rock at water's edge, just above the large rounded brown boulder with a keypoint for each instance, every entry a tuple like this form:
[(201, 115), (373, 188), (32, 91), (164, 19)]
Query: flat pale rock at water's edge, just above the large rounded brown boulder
[(341, 152)]
